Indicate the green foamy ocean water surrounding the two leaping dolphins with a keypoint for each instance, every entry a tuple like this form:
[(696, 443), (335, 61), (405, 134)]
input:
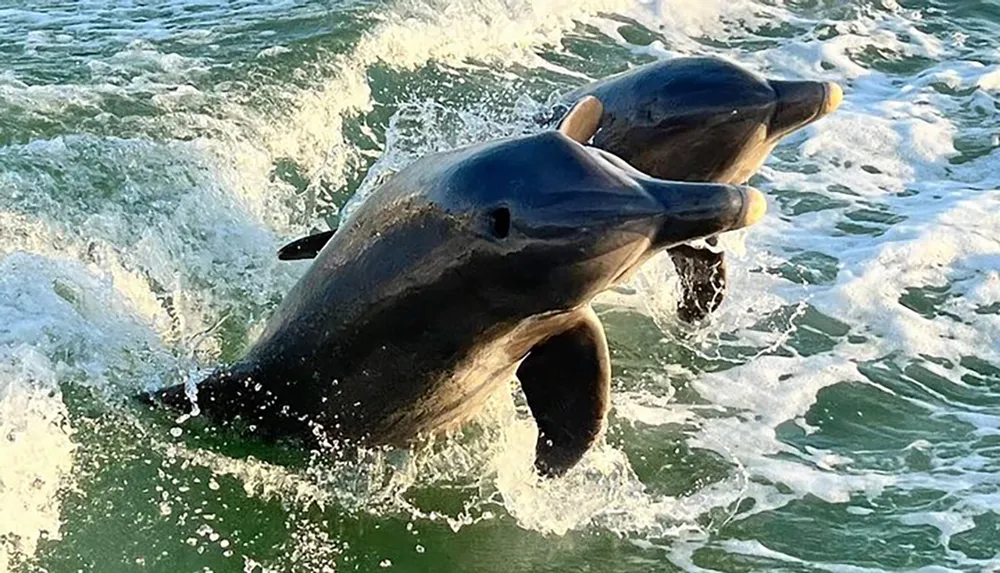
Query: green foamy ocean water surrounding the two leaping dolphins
[(840, 413)]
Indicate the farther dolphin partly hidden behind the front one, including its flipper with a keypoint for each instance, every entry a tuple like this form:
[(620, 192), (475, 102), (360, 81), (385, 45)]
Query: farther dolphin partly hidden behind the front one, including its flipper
[(700, 119)]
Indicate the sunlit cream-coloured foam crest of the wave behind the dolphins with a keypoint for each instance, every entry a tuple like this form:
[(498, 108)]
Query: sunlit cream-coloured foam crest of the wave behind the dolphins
[(504, 33)]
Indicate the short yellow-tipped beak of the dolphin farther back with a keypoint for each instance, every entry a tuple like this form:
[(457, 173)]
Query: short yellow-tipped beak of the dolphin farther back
[(801, 103)]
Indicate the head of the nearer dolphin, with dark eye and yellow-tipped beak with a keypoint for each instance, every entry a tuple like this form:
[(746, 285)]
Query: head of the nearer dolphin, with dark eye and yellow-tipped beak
[(549, 223)]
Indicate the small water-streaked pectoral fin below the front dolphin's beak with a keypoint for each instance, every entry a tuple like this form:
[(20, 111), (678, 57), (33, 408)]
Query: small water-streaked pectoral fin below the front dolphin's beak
[(703, 280)]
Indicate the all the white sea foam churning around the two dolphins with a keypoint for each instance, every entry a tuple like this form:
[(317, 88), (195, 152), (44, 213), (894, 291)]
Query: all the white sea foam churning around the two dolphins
[(115, 297)]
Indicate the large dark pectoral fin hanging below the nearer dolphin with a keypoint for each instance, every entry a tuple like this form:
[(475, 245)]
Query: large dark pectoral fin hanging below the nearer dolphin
[(566, 380)]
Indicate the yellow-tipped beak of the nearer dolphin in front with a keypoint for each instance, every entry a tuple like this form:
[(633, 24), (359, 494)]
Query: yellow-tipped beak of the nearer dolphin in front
[(696, 210)]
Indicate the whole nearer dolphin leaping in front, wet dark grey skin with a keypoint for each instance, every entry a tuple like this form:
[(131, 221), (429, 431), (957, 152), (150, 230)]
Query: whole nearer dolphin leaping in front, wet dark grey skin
[(466, 269)]
